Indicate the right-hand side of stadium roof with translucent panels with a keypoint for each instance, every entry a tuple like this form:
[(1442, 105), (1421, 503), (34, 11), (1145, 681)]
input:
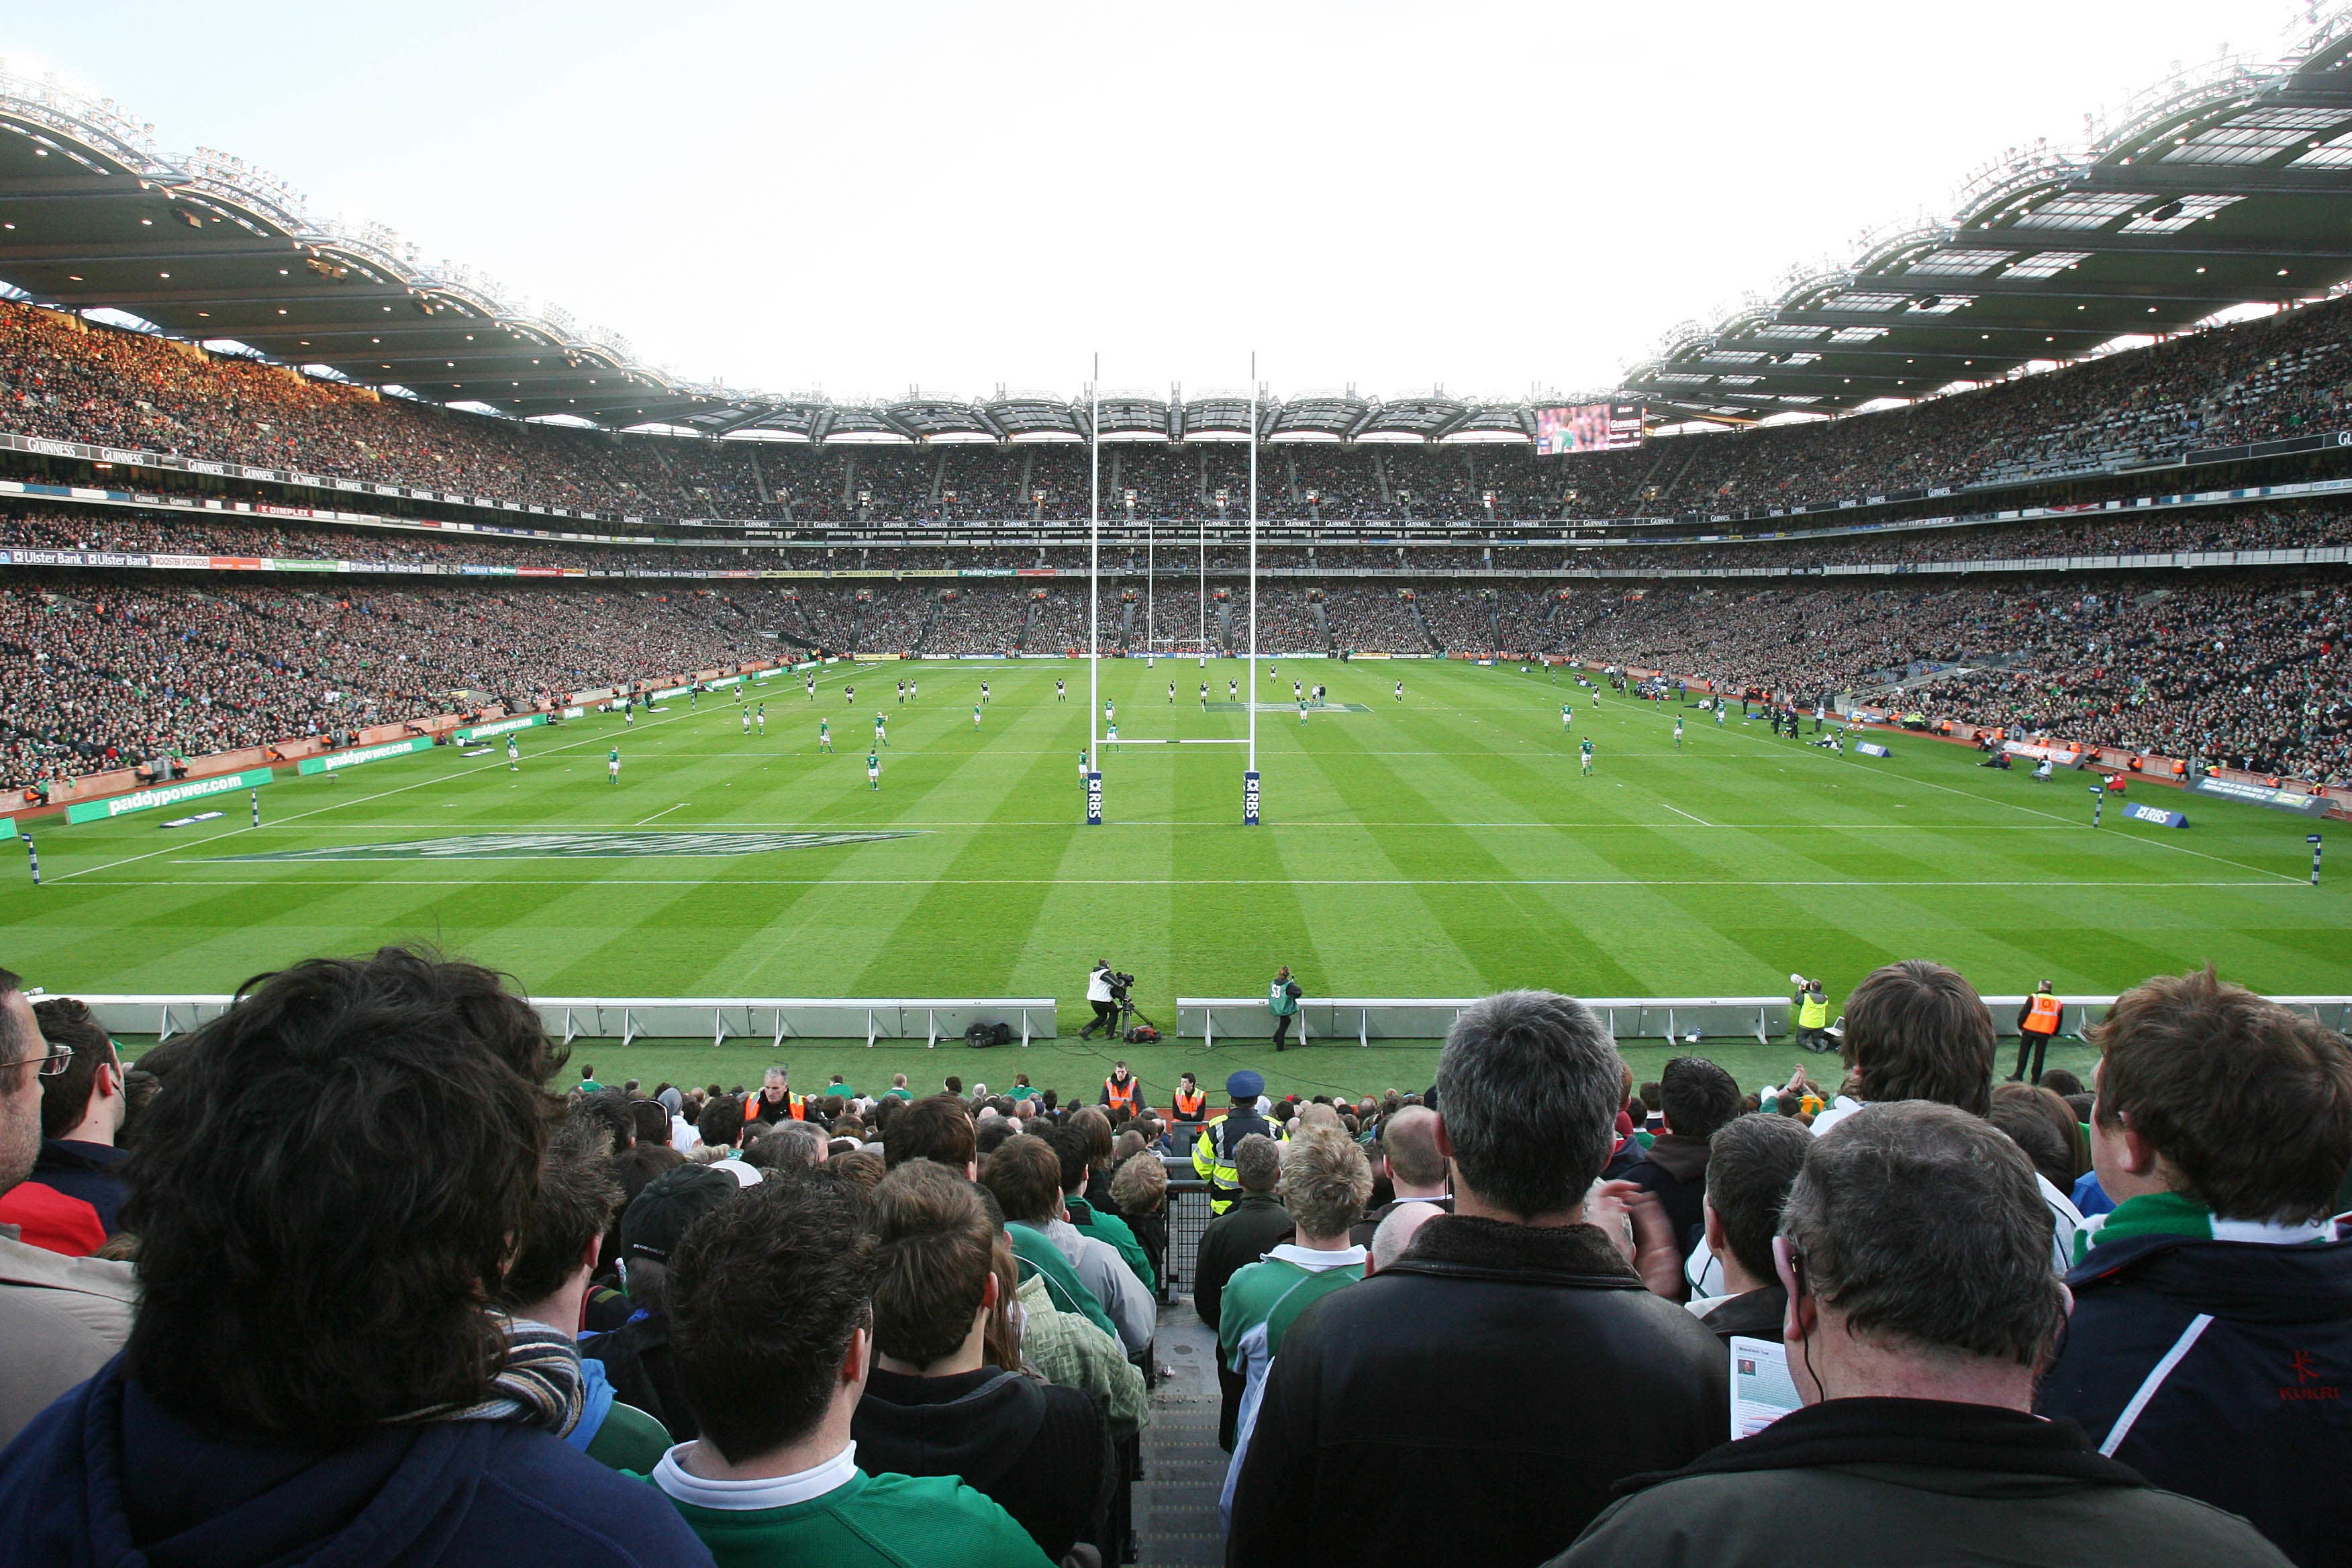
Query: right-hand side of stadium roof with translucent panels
[(2207, 192)]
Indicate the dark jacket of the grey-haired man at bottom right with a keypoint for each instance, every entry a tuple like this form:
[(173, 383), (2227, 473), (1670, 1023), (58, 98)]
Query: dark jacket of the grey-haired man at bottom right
[(1899, 1482)]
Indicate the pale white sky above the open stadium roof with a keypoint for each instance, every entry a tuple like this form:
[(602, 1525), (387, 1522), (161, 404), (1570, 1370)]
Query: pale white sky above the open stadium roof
[(869, 199)]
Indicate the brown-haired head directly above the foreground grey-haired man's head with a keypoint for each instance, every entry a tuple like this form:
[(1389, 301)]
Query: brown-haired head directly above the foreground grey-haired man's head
[(1916, 1031)]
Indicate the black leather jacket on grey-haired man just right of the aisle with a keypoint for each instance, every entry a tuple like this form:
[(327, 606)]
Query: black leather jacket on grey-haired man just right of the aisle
[(1471, 1405)]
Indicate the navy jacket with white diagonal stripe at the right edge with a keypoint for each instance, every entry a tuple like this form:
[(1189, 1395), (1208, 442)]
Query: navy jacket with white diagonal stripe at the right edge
[(2257, 1412)]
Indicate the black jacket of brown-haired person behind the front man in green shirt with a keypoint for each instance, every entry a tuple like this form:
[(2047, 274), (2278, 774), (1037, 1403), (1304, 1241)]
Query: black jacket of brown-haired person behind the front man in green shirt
[(1041, 1452)]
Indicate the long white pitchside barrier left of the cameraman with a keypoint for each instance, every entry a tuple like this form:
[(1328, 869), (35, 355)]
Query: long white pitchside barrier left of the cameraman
[(629, 1019)]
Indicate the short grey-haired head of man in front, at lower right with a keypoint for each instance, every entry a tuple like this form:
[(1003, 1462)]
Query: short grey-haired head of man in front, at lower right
[(1918, 1249)]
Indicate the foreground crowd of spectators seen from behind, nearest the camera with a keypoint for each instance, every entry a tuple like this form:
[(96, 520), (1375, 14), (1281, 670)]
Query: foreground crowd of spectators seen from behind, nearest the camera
[(338, 1278)]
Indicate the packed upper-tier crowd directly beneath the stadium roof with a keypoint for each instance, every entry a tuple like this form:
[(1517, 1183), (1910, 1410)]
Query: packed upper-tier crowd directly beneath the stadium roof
[(2226, 387)]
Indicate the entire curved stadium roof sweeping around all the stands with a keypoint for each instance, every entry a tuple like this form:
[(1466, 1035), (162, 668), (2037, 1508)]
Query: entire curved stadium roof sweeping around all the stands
[(2205, 194)]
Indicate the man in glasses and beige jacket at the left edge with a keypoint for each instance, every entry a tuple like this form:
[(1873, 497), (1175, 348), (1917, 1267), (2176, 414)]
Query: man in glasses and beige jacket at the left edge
[(60, 1318)]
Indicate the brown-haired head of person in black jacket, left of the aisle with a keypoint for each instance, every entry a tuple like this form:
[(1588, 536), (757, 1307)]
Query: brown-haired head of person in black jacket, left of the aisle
[(935, 1282)]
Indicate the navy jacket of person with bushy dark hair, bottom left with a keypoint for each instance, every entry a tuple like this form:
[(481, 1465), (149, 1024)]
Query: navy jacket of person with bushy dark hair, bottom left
[(109, 1480)]
